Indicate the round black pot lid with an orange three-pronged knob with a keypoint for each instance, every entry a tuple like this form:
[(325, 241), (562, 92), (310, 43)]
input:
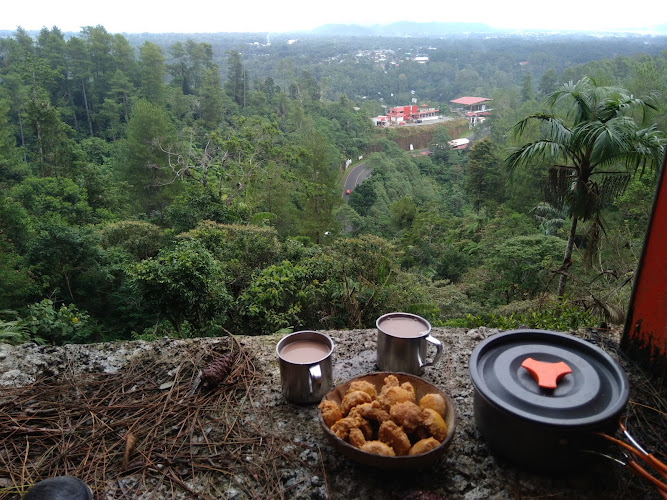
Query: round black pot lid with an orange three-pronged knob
[(549, 377)]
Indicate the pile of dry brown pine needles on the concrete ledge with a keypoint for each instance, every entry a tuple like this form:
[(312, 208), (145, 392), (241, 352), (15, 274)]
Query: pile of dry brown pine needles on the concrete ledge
[(171, 428)]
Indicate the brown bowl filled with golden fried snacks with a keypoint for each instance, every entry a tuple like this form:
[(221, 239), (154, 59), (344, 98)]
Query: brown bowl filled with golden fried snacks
[(407, 423)]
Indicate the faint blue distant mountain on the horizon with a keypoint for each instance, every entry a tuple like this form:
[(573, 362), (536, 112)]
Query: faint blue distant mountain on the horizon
[(404, 28)]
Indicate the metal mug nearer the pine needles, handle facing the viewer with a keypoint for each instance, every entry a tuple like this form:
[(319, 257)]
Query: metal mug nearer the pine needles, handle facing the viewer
[(305, 366)]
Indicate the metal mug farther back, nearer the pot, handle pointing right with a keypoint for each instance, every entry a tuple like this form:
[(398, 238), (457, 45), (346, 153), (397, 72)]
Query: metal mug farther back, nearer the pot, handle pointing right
[(402, 342)]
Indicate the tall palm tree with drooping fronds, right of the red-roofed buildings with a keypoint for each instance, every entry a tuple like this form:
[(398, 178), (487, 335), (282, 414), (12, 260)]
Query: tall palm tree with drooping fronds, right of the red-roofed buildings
[(590, 154)]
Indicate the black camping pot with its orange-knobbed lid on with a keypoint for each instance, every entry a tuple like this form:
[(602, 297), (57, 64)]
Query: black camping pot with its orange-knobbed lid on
[(539, 397)]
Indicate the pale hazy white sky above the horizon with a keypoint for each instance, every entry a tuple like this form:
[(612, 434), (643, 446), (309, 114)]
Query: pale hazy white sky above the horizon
[(202, 16)]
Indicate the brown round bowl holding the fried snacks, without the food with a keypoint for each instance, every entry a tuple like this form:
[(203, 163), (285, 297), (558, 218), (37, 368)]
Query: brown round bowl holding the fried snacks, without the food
[(385, 462)]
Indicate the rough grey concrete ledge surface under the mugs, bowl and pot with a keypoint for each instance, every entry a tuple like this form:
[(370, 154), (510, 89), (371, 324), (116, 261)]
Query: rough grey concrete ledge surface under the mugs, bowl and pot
[(468, 471)]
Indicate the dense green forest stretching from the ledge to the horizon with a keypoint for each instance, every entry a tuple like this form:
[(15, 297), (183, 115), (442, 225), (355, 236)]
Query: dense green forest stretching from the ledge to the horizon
[(184, 185)]
